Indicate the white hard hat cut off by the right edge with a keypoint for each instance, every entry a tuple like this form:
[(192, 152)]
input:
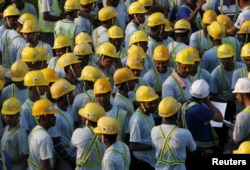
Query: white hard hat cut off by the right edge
[(242, 86)]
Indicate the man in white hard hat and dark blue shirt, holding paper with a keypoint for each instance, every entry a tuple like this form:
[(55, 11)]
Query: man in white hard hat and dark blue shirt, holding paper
[(203, 133)]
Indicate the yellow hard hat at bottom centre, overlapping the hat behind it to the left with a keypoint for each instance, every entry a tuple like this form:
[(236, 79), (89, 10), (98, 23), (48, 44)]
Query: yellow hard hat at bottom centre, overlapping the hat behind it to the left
[(107, 126)]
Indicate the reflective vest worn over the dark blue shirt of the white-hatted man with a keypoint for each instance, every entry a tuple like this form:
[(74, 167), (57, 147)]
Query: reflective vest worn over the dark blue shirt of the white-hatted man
[(202, 144)]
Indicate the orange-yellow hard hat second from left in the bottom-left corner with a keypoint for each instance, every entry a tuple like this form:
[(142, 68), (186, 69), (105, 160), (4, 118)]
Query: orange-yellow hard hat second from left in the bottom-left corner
[(43, 107)]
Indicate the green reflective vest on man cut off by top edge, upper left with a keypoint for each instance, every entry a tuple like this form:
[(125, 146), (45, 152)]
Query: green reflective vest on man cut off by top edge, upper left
[(48, 26)]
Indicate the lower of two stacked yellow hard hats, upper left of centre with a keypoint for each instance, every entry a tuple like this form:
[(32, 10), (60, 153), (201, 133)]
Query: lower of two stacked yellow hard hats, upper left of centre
[(83, 49)]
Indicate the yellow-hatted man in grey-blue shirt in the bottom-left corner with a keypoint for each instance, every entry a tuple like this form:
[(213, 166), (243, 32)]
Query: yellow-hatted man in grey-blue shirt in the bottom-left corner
[(15, 139)]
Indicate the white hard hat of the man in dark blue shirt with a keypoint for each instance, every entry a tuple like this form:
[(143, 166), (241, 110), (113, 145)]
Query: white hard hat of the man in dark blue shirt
[(199, 89)]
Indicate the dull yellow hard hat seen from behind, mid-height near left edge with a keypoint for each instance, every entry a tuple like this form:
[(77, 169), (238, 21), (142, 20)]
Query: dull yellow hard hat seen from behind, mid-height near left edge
[(18, 70)]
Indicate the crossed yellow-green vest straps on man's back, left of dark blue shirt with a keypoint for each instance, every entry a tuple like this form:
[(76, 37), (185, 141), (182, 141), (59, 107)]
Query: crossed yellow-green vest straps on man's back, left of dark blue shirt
[(167, 149)]
